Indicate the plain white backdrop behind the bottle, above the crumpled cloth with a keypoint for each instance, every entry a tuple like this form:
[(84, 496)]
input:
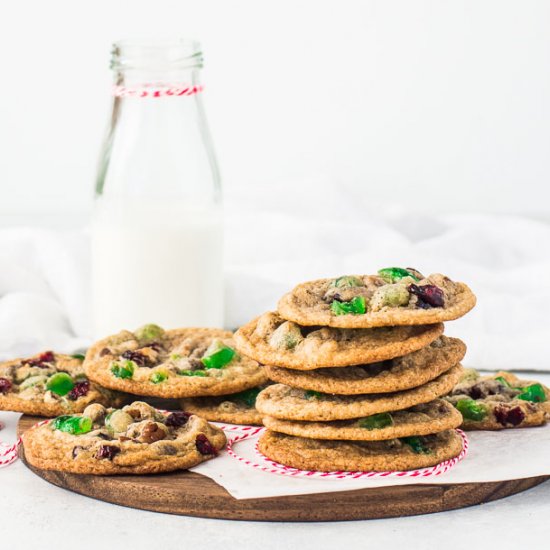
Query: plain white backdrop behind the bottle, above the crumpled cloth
[(439, 104)]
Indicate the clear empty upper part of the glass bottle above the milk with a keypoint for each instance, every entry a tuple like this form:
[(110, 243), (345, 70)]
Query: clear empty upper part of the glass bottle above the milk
[(158, 143)]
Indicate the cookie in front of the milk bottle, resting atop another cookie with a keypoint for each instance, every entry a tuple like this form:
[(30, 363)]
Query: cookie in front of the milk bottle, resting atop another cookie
[(178, 363)]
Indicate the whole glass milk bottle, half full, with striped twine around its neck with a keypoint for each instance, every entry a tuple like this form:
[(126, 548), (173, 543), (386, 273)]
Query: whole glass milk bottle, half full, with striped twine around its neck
[(157, 224)]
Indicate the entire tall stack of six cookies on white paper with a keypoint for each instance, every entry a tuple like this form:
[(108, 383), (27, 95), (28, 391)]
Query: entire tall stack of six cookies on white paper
[(360, 364)]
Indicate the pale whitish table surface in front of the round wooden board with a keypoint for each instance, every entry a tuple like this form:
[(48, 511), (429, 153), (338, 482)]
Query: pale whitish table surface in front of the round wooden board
[(36, 514)]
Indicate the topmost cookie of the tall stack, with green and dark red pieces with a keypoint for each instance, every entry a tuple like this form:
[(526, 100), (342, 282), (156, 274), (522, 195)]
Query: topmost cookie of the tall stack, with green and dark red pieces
[(394, 296)]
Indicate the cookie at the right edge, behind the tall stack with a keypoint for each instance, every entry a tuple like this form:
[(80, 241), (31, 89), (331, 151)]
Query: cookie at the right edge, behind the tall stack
[(500, 401)]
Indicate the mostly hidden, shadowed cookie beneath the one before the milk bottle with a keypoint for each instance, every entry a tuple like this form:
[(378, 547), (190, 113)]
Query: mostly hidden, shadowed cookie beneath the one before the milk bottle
[(237, 408)]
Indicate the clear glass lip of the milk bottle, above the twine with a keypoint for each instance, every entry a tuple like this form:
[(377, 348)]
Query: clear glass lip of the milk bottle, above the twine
[(156, 54)]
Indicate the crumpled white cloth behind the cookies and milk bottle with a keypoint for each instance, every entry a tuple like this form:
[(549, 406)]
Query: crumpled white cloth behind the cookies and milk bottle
[(45, 297)]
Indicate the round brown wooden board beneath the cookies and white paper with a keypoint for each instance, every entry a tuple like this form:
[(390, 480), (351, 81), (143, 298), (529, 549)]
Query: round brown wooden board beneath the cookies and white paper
[(190, 494)]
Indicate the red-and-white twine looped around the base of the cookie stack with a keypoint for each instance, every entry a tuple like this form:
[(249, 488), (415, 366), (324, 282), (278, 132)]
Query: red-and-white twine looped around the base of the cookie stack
[(272, 467)]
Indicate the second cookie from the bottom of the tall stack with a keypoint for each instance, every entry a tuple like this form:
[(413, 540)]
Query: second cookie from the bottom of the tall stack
[(427, 418)]
